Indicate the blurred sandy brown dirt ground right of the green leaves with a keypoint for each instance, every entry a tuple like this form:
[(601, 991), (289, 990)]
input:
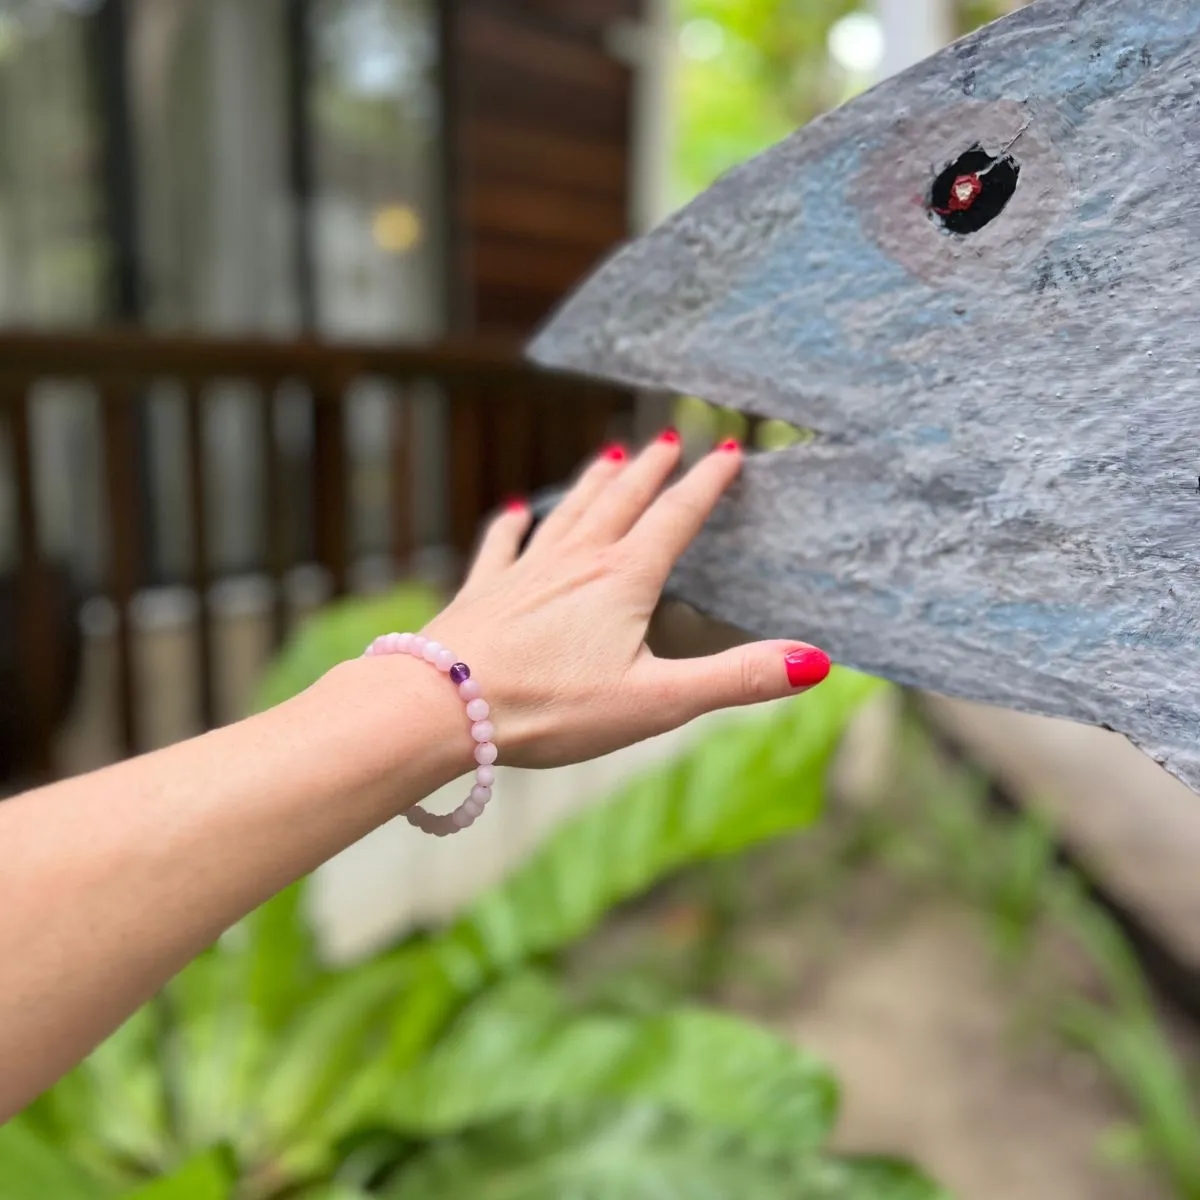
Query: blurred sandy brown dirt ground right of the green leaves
[(899, 991)]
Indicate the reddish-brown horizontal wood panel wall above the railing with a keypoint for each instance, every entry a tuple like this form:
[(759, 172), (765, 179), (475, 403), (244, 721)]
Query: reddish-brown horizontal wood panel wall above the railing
[(539, 124)]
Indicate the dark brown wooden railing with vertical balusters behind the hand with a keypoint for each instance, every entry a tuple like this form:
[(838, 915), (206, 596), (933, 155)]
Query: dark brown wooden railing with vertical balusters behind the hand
[(511, 429)]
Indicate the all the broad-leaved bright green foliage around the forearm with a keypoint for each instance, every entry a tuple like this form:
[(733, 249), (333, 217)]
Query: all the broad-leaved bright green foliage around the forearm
[(457, 1064)]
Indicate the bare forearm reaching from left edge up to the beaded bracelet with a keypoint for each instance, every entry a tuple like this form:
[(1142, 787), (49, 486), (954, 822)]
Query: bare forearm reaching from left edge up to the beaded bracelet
[(115, 881)]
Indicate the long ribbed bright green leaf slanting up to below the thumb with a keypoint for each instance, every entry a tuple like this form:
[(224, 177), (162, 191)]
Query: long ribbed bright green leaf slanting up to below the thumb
[(755, 779)]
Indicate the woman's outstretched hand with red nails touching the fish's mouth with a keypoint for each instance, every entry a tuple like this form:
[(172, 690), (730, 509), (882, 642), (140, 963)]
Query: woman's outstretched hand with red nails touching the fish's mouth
[(557, 635)]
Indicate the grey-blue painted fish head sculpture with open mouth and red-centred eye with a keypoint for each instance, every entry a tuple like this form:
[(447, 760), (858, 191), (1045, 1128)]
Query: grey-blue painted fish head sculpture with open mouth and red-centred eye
[(980, 284)]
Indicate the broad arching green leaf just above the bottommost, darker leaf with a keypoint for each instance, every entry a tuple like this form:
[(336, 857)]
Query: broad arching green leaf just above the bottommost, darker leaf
[(521, 1049)]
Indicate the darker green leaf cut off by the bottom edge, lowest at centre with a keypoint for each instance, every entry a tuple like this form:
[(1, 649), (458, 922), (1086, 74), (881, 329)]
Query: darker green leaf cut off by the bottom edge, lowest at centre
[(635, 1155)]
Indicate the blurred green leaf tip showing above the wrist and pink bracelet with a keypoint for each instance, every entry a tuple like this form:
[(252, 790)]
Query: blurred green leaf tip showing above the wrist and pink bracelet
[(341, 632)]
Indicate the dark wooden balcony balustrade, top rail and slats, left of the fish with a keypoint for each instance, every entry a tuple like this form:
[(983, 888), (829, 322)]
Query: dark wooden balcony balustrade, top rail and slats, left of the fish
[(502, 428)]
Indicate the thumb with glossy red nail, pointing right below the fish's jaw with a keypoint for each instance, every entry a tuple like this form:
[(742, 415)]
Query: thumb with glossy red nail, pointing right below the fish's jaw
[(746, 675)]
